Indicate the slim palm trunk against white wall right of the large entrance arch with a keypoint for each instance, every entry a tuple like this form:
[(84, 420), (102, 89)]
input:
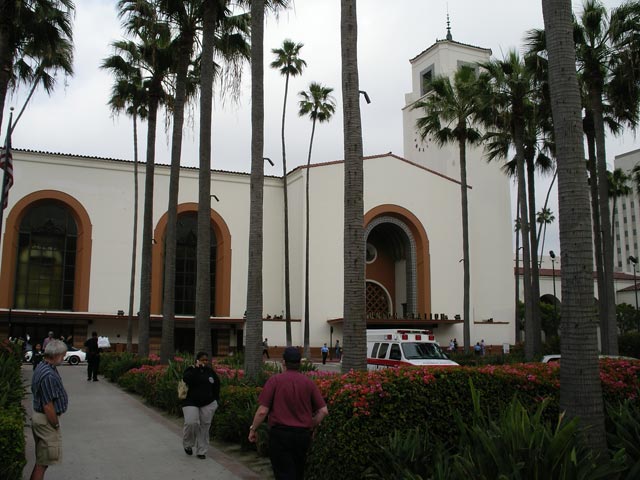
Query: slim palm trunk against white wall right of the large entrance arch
[(465, 245)]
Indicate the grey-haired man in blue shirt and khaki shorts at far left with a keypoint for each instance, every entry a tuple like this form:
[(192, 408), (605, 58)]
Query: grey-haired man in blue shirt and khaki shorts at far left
[(49, 402)]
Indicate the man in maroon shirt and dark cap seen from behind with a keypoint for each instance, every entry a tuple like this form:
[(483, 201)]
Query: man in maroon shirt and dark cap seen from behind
[(294, 406)]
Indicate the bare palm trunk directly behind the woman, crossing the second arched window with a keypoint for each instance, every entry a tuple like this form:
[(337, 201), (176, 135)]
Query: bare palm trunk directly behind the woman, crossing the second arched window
[(203, 269)]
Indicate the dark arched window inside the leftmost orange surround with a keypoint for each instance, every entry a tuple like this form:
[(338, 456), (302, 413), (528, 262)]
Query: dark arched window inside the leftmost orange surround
[(46, 258)]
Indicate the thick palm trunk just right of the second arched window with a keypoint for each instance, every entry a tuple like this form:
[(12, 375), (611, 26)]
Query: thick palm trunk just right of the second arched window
[(253, 357)]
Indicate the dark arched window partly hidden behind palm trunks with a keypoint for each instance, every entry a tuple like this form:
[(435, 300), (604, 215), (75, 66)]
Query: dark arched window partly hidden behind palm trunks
[(187, 264)]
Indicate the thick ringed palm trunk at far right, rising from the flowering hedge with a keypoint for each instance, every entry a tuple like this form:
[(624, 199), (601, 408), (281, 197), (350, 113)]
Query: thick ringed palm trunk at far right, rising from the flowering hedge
[(580, 388)]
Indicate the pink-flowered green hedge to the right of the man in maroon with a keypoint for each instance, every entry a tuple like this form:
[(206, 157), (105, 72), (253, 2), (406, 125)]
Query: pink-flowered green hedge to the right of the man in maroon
[(365, 407)]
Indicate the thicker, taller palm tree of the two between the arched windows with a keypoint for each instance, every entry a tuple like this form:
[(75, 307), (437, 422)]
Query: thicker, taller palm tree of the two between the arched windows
[(143, 19)]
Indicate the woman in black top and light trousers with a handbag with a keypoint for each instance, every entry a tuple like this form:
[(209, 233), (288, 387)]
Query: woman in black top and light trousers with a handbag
[(199, 405)]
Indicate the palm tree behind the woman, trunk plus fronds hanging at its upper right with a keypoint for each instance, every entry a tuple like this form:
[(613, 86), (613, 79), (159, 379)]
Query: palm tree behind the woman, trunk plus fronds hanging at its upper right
[(224, 37)]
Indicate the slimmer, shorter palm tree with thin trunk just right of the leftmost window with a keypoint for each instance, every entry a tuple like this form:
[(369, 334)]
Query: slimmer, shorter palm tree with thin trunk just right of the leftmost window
[(128, 94)]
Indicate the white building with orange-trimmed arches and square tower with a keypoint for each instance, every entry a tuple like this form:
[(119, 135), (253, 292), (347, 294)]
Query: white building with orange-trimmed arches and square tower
[(66, 245)]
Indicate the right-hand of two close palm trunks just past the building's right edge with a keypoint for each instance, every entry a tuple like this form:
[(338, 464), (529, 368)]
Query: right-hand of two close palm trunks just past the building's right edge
[(535, 272)]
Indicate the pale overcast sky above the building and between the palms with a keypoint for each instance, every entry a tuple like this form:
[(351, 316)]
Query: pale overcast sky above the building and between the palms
[(76, 120)]
